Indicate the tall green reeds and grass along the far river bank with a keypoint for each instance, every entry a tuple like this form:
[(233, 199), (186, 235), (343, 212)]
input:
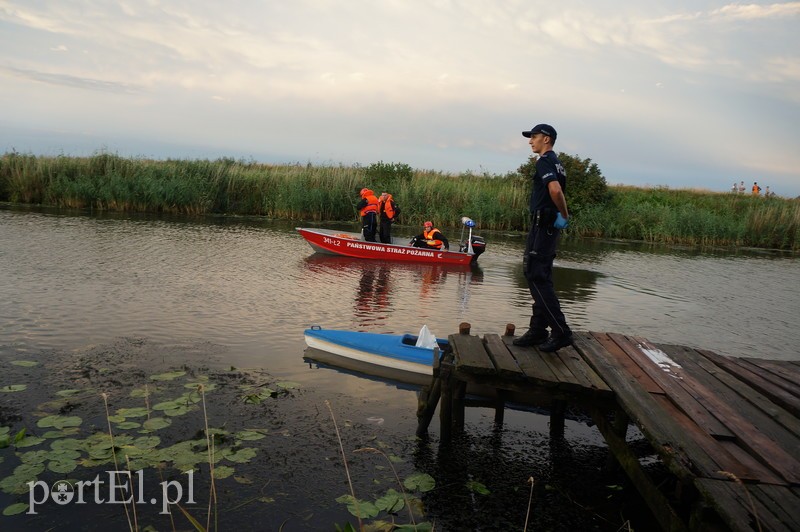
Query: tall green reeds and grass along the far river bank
[(330, 193)]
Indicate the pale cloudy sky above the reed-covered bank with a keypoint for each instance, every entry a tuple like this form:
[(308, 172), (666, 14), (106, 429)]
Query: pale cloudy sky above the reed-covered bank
[(665, 93)]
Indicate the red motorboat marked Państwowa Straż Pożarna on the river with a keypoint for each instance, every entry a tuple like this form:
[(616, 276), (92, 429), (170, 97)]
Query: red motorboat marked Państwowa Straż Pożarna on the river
[(353, 245)]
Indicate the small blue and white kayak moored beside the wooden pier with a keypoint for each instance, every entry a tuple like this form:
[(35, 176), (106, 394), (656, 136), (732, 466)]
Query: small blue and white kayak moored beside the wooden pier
[(397, 352)]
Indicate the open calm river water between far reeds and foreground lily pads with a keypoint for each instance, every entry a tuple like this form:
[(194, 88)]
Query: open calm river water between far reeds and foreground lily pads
[(253, 285)]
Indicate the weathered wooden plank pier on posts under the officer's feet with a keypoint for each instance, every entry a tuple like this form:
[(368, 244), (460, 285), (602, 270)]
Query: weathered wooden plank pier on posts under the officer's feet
[(727, 429)]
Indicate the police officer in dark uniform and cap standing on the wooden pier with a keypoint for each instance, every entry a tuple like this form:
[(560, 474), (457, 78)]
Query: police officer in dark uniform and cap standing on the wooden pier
[(549, 215)]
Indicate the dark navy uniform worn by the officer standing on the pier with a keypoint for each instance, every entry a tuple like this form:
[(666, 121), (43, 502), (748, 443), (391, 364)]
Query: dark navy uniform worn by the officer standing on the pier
[(540, 249)]
